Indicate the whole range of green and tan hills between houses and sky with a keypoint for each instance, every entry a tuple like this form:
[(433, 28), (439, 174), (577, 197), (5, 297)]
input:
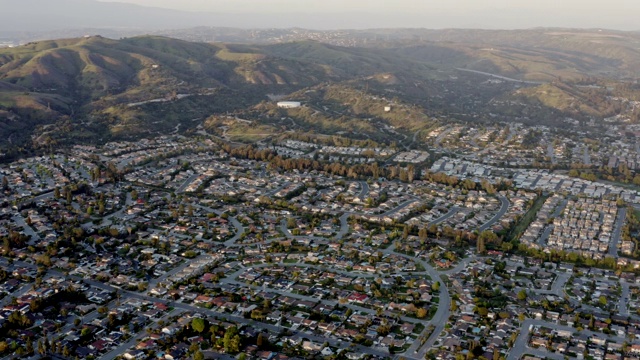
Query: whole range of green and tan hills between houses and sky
[(98, 89)]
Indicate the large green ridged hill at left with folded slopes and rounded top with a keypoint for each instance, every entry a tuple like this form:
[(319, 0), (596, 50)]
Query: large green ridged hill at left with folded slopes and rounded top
[(121, 87)]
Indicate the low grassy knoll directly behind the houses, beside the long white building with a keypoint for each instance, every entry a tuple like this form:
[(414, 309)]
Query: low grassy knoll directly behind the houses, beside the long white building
[(346, 109)]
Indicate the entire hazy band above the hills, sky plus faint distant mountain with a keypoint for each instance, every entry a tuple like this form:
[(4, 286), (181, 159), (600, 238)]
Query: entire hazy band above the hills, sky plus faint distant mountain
[(48, 15)]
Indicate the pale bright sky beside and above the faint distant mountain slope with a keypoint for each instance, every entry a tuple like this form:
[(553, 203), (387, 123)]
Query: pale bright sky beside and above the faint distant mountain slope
[(613, 14)]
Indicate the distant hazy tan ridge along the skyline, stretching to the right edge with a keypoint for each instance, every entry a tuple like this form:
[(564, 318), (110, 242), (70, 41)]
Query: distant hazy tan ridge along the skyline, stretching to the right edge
[(533, 54)]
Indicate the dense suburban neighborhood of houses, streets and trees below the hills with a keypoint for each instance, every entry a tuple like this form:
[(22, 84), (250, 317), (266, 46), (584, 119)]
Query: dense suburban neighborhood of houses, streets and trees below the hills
[(181, 248)]
